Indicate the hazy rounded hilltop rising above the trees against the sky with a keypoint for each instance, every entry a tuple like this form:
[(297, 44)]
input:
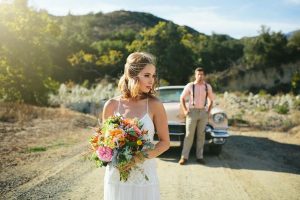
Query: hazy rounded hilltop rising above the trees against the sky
[(107, 25)]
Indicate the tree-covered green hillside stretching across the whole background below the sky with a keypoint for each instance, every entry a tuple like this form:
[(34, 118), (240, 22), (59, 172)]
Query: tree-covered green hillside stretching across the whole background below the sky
[(39, 51)]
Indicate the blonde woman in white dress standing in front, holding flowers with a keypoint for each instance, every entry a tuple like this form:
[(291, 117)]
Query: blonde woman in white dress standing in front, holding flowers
[(137, 100)]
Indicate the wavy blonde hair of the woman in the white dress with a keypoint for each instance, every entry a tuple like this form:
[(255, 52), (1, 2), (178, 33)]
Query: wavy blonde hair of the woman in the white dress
[(129, 82)]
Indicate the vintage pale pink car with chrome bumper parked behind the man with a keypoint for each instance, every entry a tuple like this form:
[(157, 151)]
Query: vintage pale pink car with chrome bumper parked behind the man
[(216, 132)]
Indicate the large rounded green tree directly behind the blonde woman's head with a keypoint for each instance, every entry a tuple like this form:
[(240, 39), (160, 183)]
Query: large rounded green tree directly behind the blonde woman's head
[(168, 42)]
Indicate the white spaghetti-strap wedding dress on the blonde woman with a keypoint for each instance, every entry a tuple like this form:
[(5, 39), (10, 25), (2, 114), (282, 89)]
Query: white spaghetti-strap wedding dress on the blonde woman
[(136, 187)]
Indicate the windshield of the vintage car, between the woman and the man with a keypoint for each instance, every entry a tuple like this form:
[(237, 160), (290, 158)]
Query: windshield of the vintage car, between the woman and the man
[(170, 95)]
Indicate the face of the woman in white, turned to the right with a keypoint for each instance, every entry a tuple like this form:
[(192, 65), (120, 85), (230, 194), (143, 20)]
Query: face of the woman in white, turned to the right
[(146, 78)]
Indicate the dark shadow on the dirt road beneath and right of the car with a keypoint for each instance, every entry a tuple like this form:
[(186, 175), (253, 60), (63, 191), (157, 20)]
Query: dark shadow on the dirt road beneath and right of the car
[(247, 152)]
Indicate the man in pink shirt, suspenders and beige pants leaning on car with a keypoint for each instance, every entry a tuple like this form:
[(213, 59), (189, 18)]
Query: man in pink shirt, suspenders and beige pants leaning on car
[(196, 114)]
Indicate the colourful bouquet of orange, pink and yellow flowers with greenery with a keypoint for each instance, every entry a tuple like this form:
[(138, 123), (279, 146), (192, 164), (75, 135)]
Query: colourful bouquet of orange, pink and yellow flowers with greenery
[(117, 141)]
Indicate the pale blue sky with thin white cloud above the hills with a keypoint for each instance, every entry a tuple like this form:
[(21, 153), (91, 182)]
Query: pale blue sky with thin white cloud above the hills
[(237, 18)]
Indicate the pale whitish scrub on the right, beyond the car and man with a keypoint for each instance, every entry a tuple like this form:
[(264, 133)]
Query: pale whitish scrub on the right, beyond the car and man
[(265, 111)]
